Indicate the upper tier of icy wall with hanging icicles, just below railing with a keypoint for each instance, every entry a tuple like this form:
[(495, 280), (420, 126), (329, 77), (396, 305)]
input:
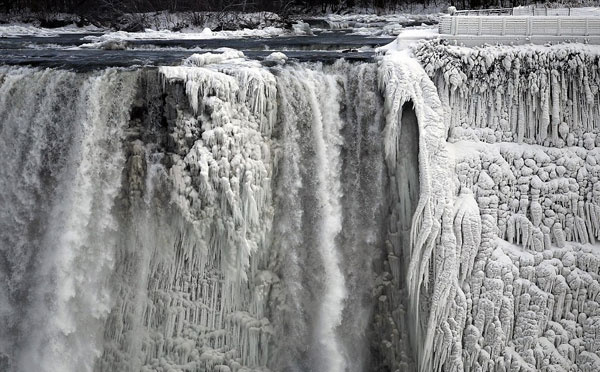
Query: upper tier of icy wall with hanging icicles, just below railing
[(535, 95)]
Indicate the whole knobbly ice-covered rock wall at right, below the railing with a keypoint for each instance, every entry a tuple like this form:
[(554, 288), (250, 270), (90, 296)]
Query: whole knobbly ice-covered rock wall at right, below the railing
[(523, 129)]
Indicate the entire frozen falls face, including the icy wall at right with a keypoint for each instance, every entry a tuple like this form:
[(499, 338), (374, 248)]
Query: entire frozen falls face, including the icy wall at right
[(437, 210)]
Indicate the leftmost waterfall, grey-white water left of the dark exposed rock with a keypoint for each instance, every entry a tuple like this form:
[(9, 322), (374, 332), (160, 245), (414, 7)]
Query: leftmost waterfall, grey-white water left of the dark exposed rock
[(62, 141)]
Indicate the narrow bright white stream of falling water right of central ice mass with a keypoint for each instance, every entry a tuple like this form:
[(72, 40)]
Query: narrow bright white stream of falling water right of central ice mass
[(326, 127)]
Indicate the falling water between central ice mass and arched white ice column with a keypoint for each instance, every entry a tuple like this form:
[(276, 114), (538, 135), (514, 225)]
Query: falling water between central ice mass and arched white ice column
[(322, 140)]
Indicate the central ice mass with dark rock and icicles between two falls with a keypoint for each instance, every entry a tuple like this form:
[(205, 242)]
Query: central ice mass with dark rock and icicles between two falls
[(195, 280)]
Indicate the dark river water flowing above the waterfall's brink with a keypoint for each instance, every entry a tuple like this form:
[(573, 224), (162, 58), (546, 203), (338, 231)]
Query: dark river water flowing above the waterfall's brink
[(65, 50)]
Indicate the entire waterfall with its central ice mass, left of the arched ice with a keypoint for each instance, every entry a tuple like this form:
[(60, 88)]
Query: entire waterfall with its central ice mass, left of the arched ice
[(220, 215)]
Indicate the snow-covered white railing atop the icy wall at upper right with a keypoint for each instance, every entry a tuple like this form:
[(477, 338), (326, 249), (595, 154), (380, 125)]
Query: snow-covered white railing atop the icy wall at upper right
[(520, 26)]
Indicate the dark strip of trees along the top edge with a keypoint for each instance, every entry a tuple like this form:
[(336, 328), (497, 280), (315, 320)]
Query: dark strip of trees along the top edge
[(90, 7)]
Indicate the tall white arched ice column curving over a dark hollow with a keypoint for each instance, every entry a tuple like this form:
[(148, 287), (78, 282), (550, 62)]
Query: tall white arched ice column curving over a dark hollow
[(403, 80)]
